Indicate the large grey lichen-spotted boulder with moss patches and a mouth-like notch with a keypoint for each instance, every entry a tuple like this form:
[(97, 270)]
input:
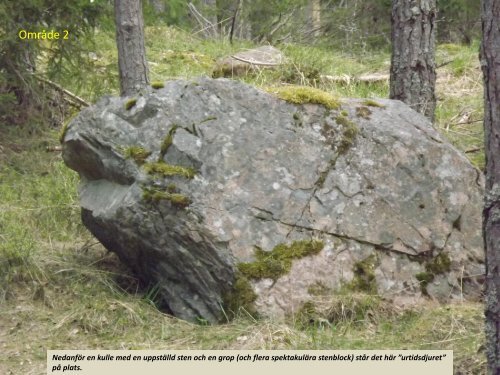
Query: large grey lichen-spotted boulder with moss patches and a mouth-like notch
[(224, 196)]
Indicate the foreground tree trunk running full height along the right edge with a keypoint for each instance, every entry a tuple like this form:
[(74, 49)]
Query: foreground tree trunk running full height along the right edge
[(490, 62)]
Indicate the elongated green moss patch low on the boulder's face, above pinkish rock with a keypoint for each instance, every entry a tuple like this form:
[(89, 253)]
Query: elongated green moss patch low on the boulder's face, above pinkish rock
[(278, 262)]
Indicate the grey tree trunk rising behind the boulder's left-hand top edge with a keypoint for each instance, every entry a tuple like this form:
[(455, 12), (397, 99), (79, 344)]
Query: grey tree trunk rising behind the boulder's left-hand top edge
[(132, 62)]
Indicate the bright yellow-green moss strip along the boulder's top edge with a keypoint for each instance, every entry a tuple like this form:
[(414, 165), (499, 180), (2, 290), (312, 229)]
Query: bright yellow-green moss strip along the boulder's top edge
[(304, 95)]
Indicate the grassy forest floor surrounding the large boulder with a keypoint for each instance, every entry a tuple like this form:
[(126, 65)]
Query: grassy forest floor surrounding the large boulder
[(59, 289)]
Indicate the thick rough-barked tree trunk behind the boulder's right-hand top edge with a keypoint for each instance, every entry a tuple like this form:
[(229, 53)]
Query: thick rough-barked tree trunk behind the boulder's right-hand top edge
[(413, 70)]
